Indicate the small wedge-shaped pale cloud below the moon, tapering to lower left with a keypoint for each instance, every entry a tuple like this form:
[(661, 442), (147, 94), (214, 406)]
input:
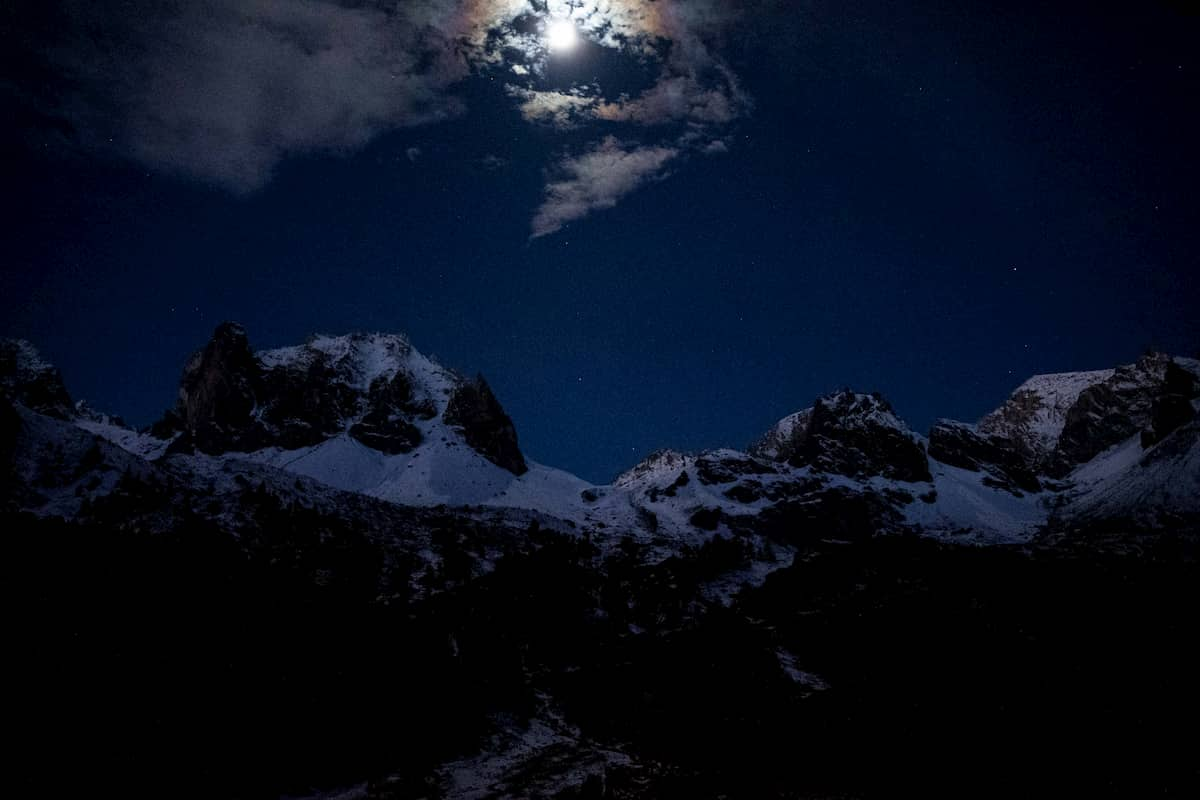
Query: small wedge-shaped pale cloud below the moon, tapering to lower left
[(597, 179)]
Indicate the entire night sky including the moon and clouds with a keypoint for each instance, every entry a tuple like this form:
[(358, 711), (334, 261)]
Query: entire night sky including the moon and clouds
[(670, 232)]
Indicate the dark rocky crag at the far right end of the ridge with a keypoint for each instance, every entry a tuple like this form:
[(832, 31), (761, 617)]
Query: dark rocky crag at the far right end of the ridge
[(1153, 395)]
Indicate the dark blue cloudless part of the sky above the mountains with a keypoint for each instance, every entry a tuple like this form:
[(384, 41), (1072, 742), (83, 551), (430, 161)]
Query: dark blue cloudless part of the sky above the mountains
[(933, 201)]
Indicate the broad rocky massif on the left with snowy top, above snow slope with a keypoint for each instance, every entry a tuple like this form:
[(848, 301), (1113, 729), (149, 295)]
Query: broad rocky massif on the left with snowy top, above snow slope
[(373, 388)]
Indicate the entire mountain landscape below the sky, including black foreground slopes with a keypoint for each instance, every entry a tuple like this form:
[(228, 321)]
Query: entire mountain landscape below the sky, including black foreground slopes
[(350, 530)]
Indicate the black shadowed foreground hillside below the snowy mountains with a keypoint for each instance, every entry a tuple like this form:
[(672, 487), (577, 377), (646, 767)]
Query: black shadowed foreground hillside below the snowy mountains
[(191, 665)]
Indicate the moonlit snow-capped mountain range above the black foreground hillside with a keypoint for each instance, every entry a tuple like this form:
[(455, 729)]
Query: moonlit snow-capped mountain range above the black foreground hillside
[(370, 416)]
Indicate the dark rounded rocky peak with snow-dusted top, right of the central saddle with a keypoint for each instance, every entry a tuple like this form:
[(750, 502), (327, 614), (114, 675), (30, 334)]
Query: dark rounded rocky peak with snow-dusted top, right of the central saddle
[(848, 434)]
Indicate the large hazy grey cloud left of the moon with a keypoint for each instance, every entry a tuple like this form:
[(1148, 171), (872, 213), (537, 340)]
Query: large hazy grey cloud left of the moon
[(226, 89)]
